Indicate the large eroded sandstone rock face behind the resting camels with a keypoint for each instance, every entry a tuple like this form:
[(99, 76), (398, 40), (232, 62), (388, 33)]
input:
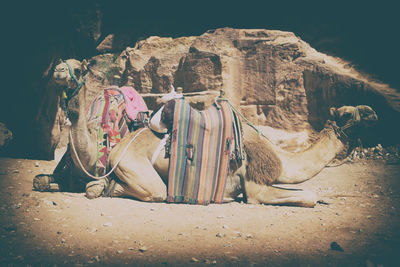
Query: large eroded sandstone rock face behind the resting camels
[(273, 77)]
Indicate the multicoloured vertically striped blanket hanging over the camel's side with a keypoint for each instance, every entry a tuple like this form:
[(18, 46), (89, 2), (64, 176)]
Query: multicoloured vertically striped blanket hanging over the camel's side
[(202, 144)]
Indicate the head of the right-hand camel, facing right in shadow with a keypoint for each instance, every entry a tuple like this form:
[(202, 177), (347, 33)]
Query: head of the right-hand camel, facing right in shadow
[(359, 116)]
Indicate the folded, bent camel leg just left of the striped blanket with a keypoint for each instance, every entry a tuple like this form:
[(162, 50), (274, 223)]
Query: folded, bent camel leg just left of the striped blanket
[(140, 180)]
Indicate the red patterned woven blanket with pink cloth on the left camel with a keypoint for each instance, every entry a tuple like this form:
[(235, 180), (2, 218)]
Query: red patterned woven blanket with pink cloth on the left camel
[(108, 114)]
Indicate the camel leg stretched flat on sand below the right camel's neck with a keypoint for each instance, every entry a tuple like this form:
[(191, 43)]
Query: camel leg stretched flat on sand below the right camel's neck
[(264, 194)]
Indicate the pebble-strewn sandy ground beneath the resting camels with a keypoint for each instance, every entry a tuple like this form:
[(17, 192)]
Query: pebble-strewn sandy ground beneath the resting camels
[(361, 214)]
